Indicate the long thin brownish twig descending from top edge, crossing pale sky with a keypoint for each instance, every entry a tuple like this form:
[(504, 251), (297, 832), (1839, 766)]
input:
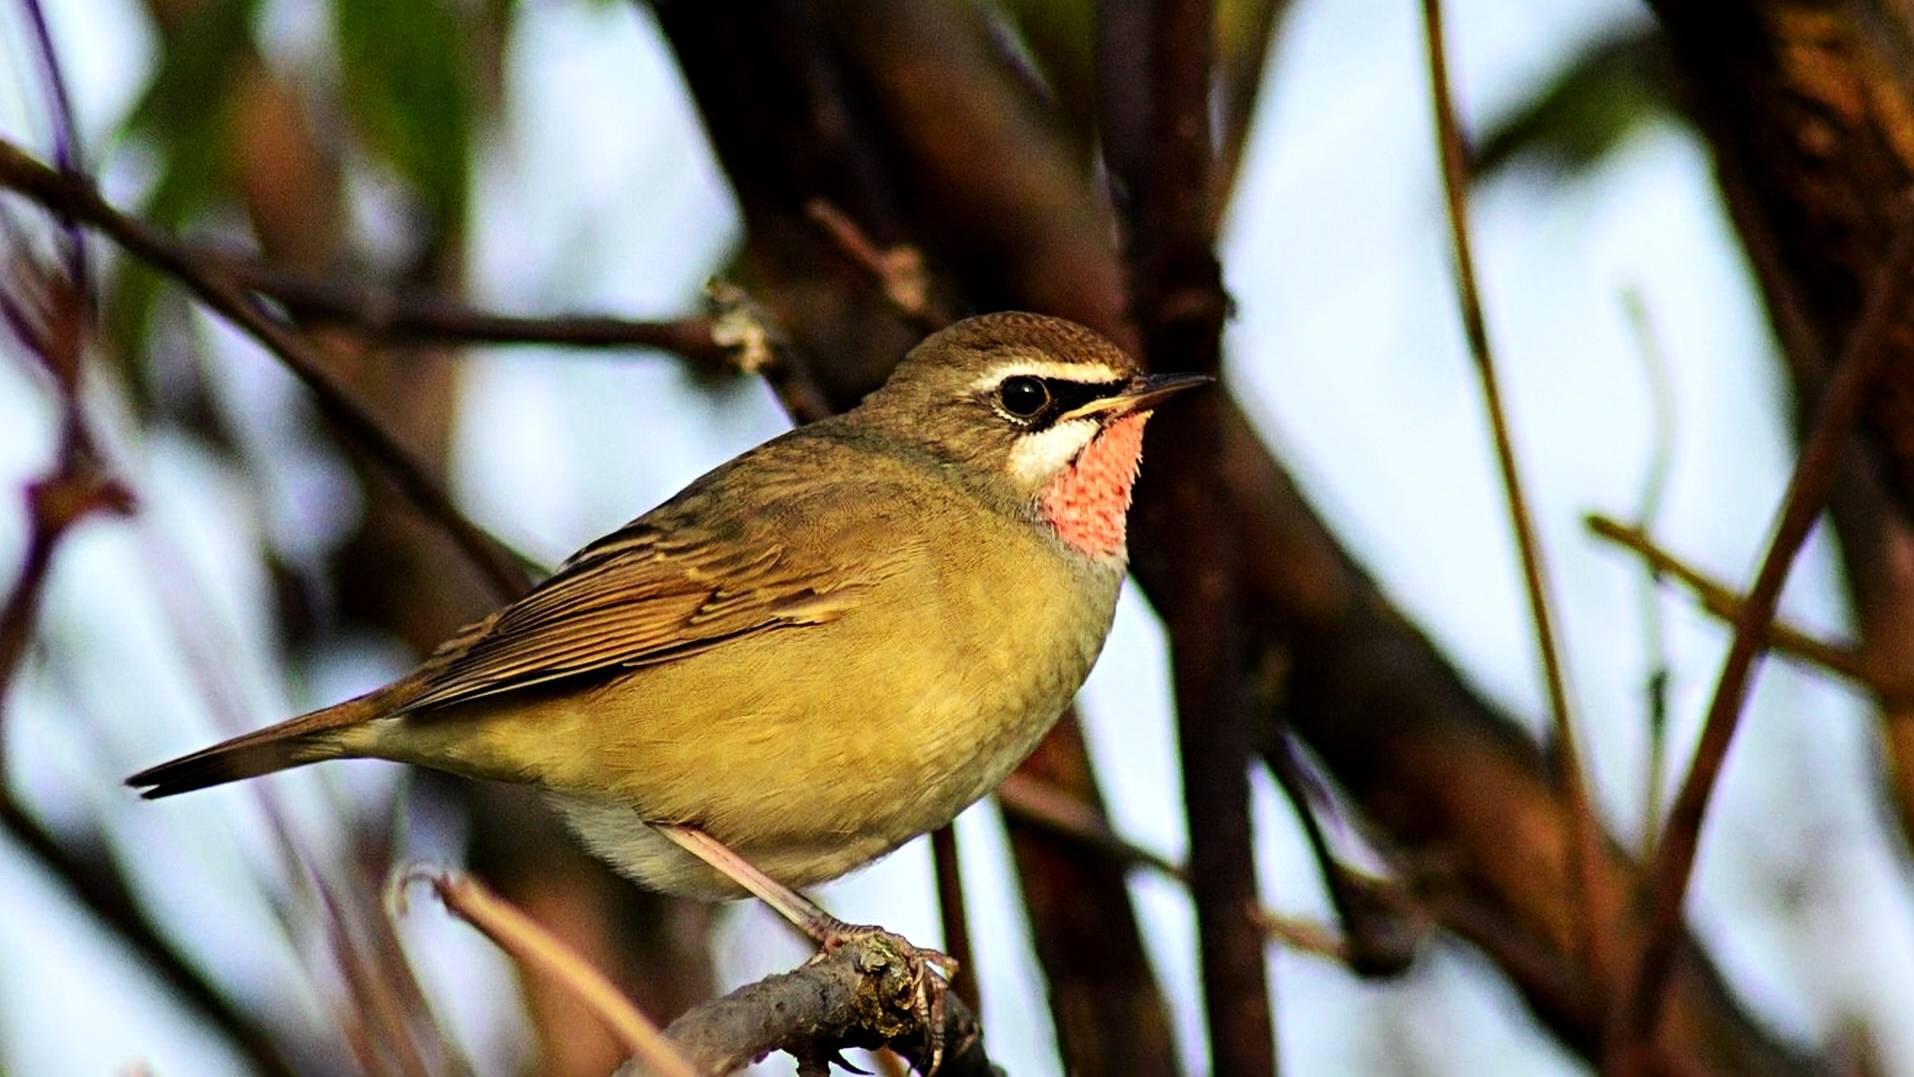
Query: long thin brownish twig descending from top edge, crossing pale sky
[(1584, 852)]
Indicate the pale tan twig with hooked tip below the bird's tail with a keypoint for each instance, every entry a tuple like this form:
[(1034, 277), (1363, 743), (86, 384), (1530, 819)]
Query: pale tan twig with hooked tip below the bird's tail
[(539, 950)]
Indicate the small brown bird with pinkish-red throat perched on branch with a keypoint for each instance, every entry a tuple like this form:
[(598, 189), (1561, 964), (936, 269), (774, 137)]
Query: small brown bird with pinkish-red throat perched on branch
[(814, 653)]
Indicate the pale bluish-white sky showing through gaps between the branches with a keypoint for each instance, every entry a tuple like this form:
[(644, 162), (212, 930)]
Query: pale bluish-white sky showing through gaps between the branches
[(1346, 349)]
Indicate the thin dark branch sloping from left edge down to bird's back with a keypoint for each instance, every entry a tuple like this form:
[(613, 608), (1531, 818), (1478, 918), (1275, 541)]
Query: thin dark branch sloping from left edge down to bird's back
[(20, 173)]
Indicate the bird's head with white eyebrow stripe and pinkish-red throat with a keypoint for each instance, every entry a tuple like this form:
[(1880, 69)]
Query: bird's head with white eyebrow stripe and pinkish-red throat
[(1038, 414)]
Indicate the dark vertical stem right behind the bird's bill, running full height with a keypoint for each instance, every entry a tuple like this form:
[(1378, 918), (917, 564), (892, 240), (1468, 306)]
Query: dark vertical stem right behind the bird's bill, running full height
[(1159, 154)]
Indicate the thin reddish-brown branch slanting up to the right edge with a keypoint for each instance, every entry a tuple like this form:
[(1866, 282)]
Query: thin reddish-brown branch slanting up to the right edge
[(1808, 493)]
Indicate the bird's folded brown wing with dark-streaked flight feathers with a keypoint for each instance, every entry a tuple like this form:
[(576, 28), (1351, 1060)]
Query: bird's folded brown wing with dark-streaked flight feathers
[(631, 600)]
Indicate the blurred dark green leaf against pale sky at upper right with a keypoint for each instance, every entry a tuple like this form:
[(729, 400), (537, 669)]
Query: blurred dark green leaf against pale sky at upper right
[(1574, 121)]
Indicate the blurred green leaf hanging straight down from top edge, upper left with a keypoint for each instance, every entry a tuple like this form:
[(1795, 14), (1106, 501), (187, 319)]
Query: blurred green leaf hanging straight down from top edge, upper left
[(409, 91)]
